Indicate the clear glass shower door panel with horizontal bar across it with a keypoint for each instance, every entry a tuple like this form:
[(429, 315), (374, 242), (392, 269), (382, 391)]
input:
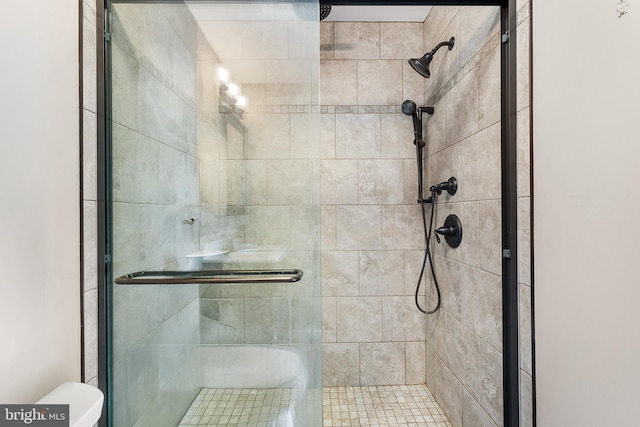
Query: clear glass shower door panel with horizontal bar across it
[(215, 305)]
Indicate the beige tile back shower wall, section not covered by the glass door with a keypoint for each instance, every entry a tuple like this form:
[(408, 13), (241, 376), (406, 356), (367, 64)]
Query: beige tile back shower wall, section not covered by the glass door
[(371, 231)]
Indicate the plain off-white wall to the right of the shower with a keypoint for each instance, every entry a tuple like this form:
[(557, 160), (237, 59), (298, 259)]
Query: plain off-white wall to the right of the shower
[(586, 229)]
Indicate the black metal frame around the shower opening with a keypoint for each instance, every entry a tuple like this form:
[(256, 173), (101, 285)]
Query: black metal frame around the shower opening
[(510, 294)]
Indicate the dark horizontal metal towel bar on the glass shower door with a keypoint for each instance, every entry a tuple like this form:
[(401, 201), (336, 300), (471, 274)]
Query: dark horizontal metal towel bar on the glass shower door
[(209, 276)]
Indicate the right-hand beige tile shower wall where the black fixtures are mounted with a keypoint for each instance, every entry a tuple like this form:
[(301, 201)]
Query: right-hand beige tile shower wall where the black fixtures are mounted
[(464, 339)]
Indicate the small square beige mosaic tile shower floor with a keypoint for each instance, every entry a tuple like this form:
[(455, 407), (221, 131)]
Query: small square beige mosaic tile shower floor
[(411, 405)]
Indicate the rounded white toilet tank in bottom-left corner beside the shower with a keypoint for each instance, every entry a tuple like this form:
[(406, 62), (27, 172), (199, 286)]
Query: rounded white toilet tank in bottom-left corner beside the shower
[(85, 402)]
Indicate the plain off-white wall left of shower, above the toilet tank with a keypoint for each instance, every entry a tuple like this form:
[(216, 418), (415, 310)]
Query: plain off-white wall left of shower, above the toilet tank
[(39, 198)]
